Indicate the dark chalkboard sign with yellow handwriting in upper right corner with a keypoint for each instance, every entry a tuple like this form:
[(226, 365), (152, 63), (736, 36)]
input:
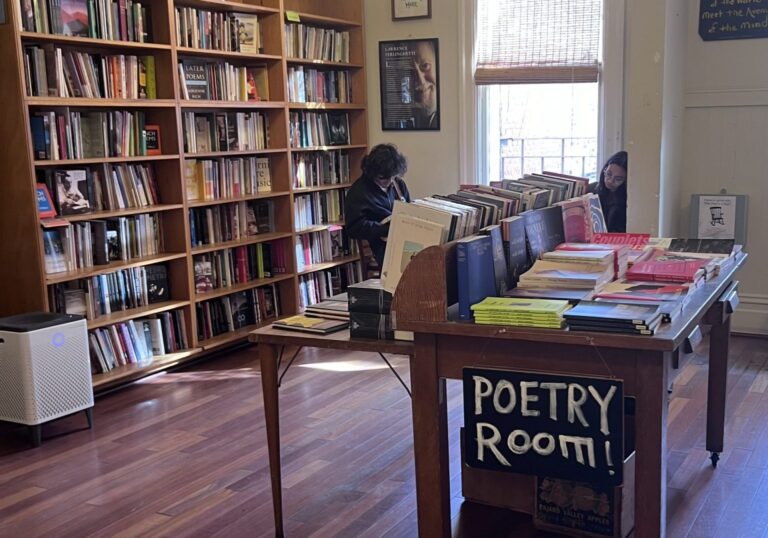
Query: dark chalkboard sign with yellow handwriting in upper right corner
[(733, 19)]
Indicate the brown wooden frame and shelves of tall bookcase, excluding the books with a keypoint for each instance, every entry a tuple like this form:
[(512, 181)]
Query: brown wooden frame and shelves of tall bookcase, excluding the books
[(24, 283)]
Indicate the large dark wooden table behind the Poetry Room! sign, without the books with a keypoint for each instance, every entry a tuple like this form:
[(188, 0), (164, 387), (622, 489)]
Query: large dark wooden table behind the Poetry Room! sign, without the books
[(444, 349)]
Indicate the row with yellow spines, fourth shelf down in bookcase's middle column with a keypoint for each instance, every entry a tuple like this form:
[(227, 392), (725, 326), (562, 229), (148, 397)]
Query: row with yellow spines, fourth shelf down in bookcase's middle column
[(209, 179)]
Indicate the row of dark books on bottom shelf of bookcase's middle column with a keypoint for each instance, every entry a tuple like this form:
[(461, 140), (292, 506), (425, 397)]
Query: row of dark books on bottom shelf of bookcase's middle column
[(236, 311)]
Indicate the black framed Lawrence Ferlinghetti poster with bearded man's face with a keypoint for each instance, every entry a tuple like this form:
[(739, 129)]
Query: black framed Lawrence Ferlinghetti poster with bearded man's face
[(409, 75)]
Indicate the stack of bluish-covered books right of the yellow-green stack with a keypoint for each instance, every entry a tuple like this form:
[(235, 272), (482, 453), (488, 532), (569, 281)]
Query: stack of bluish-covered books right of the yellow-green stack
[(614, 317)]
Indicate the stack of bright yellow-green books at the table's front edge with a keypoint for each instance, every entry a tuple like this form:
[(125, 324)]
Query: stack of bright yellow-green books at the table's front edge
[(520, 312)]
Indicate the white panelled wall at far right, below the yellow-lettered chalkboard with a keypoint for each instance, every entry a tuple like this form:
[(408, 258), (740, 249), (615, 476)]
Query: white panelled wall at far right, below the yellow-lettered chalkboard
[(725, 134)]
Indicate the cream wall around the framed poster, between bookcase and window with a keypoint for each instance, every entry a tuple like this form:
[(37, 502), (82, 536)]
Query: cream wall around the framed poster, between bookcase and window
[(433, 156)]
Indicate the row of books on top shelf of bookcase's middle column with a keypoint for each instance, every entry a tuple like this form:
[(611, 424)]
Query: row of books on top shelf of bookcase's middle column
[(213, 30)]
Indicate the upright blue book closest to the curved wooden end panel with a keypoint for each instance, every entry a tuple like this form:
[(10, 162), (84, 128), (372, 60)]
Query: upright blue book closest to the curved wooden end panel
[(475, 273)]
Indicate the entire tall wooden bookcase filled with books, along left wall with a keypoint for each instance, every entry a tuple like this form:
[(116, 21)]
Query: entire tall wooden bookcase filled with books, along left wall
[(178, 168)]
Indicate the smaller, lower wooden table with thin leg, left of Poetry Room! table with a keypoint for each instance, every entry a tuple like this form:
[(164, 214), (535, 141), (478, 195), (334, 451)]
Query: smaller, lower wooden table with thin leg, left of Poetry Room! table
[(271, 344)]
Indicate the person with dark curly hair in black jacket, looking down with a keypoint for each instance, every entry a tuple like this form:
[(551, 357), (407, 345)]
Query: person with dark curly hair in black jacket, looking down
[(369, 202)]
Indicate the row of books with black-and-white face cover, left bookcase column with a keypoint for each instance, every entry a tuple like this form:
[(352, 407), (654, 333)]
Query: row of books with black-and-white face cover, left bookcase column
[(108, 187)]
